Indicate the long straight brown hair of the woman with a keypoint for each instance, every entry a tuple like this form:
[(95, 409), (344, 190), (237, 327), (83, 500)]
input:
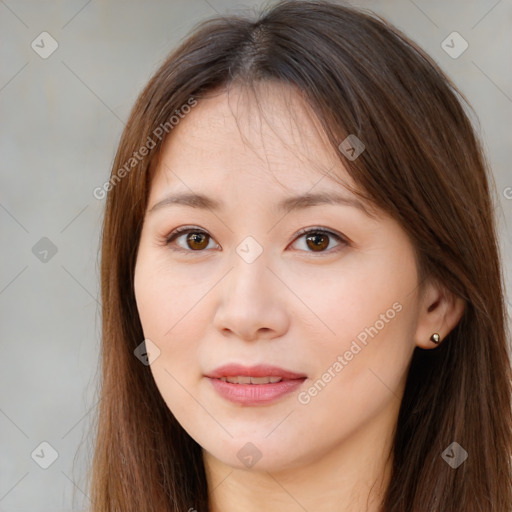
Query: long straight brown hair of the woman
[(423, 164)]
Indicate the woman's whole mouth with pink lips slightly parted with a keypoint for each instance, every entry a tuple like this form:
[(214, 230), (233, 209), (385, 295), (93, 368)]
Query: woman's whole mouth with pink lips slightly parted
[(254, 385)]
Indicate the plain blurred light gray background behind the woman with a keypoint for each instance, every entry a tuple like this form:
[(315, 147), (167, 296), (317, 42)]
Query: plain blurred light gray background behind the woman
[(61, 119)]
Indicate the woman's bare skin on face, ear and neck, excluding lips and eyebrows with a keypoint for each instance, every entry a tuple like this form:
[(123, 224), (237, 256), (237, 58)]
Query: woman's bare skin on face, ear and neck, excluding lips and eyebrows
[(293, 307)]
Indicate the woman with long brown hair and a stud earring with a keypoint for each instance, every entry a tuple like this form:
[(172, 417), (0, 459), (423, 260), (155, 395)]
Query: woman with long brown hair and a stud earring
[(302, 295)]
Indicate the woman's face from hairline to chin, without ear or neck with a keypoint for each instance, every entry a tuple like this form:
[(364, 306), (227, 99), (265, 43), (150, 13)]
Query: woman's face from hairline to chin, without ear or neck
[(337, 305)]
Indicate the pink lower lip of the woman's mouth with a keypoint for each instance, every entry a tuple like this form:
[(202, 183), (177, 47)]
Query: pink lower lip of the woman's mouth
[(255, 394)]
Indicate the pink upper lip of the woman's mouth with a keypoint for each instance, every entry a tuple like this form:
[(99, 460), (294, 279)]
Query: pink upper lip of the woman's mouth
[(241, 374)]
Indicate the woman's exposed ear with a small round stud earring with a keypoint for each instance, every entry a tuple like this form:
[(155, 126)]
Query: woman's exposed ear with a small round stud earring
[(439, 312)]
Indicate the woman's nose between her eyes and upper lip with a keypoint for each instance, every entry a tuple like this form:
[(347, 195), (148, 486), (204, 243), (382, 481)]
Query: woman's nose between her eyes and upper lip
[(252, 302)]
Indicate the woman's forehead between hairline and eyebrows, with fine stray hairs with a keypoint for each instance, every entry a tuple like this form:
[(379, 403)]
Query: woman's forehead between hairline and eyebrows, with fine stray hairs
[(268, 135)]
